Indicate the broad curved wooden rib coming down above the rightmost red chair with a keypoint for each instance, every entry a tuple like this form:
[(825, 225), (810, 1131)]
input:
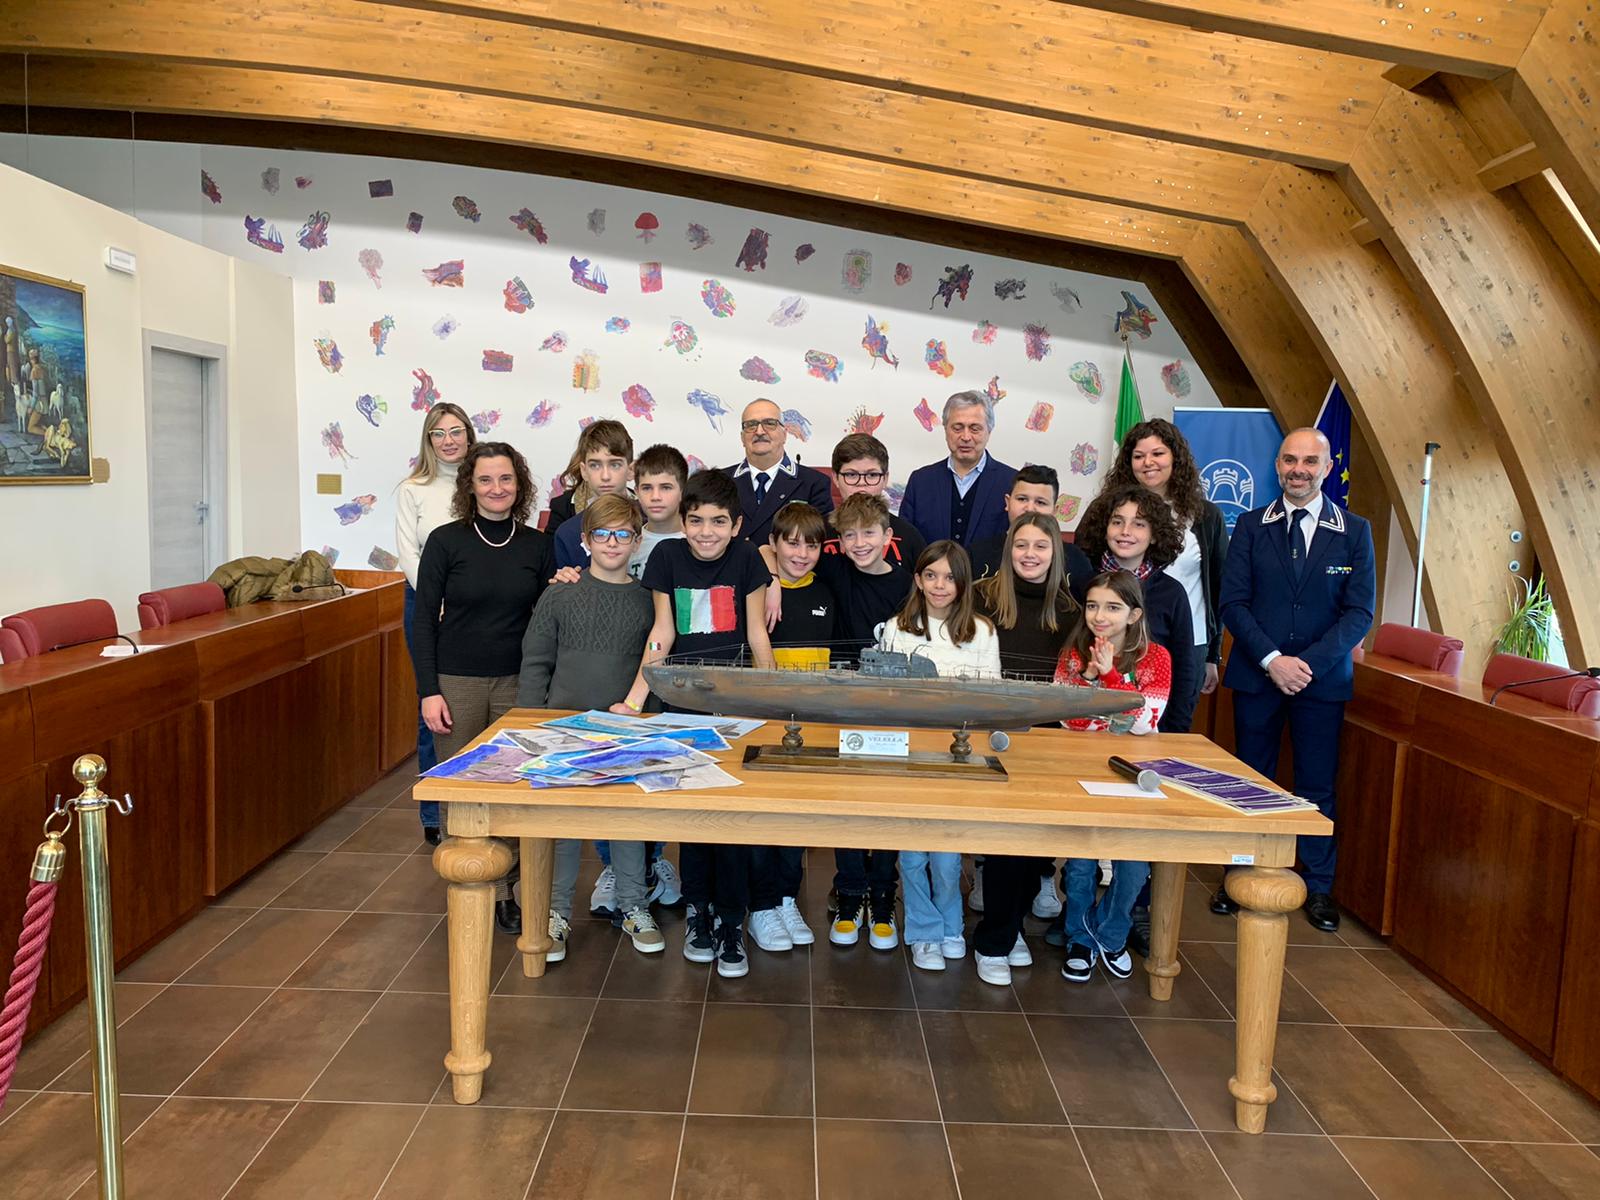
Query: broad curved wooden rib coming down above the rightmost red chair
[(1521, 327)]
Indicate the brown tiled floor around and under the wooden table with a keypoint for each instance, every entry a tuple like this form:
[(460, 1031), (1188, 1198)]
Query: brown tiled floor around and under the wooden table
[(289, 1044)]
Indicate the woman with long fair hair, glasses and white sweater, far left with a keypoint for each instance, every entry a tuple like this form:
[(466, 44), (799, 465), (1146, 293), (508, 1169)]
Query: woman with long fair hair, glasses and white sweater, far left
[(422, 506)]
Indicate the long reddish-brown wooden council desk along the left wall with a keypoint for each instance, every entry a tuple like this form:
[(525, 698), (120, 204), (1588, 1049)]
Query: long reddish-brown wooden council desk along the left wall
[(236, 732)]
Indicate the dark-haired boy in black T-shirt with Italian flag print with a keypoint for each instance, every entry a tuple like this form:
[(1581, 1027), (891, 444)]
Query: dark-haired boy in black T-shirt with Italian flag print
[(710, 593)]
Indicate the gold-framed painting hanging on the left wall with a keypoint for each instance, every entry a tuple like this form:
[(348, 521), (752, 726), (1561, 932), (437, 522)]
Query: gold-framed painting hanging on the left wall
[(44, 382)]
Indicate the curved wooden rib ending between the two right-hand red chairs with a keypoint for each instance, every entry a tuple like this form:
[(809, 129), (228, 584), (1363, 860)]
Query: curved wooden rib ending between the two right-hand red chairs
[(1402, 386)]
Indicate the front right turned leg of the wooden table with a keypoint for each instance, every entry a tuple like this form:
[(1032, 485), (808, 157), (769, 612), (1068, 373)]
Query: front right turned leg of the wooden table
[(1266, 895)]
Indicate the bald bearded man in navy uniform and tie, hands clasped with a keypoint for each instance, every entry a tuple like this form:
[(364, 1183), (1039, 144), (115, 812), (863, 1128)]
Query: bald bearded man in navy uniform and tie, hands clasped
[(1298, 596)]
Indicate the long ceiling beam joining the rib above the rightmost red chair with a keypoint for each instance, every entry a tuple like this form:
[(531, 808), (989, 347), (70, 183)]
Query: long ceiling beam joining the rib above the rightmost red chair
[(1031, 57)]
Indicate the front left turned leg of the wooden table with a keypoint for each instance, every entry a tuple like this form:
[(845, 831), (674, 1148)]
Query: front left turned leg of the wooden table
[(470, 865)]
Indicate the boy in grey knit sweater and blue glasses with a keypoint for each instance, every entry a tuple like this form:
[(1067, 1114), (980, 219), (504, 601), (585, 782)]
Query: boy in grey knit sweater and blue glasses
[(582, 652)]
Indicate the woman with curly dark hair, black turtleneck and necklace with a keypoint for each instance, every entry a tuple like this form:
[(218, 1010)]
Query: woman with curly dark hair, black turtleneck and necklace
[(476, 590)]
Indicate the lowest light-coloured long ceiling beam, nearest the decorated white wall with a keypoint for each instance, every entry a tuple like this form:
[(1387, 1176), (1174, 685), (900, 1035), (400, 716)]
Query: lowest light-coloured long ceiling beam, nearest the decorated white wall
[(276, 95)]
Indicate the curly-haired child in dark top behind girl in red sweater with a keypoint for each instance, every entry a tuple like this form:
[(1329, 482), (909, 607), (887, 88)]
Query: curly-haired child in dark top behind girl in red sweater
[(1130, 529)]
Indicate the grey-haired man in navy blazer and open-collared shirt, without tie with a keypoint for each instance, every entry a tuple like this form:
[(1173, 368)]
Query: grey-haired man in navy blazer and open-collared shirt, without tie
[(962, 497)]
